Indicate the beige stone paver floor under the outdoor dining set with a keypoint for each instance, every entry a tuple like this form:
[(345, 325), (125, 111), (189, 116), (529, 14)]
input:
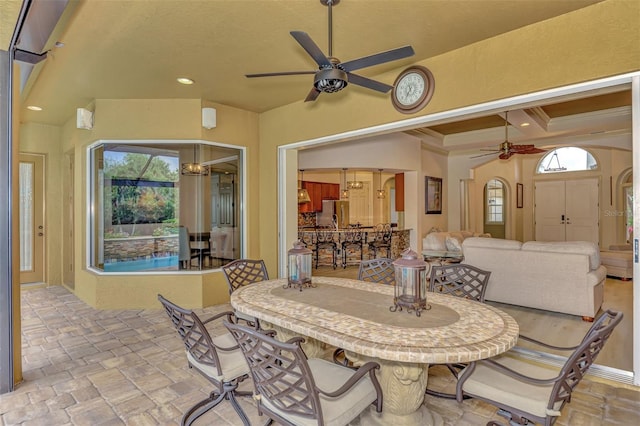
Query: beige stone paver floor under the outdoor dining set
[(88, 367)]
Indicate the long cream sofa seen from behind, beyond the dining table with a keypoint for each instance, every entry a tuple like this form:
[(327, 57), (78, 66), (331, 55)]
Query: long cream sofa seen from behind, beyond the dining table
[(564, 277)]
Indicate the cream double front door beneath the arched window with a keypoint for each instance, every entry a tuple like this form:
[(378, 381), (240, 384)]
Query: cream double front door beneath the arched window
[(567, 210)]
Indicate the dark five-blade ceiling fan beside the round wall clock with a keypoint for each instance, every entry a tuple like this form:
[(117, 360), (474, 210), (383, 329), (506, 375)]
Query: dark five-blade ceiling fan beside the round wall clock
[(333, 75)]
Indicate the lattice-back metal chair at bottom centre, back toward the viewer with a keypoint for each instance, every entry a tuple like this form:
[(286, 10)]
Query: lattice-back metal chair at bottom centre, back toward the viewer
[(294, 390)]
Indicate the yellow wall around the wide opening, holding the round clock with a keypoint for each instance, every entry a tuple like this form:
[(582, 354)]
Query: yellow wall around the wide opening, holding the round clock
[(588, 44)]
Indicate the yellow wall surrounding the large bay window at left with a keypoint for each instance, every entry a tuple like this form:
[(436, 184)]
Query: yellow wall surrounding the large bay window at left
[(140, 120)]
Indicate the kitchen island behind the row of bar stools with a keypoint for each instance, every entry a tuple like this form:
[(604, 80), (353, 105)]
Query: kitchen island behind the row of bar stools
[(399, 241)]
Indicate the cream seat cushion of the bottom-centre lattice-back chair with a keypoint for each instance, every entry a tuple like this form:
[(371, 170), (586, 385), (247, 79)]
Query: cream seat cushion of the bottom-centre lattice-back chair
[(336, 411)]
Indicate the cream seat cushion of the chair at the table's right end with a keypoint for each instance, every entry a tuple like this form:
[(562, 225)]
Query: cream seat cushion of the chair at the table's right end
[(505, 391)]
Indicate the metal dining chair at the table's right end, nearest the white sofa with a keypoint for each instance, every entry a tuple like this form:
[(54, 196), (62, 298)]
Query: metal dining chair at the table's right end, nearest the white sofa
[(525, 392)]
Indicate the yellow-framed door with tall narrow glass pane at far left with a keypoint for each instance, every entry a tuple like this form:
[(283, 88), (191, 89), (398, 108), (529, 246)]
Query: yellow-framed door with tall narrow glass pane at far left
[(32, 230)]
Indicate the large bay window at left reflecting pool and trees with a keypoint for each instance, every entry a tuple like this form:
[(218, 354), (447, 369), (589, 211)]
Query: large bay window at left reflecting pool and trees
[(164, 206)]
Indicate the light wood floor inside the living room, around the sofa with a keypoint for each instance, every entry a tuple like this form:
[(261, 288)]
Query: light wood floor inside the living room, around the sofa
[(561, 329)]
